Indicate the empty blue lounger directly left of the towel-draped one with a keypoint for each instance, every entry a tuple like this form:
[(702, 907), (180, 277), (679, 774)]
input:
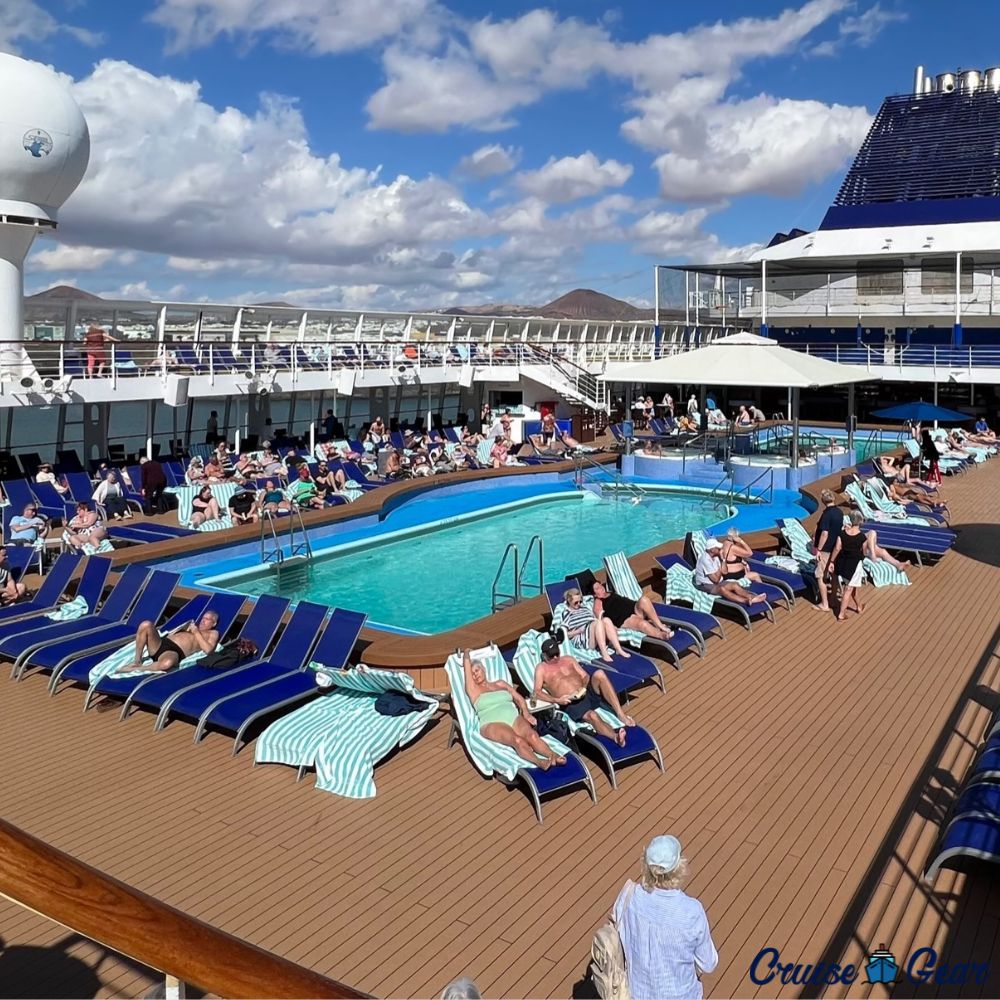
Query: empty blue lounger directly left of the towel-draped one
[(272, 686)]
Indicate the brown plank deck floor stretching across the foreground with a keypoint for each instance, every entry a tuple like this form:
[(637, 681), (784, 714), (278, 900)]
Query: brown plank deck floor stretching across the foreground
[(808, 766)]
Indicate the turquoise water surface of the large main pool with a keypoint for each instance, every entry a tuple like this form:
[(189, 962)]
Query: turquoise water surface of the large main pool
[(442, 577)]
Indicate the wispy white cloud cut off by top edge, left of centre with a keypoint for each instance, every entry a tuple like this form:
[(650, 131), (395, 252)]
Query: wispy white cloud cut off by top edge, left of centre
[(315, 26)]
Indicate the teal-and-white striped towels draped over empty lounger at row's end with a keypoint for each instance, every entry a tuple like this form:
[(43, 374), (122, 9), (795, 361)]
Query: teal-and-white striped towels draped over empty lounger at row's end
[(341, 735)]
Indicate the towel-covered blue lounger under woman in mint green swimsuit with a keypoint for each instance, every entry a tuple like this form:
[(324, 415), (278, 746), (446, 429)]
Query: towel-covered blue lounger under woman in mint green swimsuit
[(495, 760)]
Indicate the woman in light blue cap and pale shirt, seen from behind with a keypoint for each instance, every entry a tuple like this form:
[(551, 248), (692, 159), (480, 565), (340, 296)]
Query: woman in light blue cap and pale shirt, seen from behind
[(664, 933)]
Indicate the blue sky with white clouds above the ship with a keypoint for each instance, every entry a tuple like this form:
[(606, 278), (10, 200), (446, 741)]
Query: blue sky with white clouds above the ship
[(415, 153)]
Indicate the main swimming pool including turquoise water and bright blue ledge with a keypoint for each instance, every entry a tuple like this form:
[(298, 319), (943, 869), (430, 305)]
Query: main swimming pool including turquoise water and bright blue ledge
[(429, 565)]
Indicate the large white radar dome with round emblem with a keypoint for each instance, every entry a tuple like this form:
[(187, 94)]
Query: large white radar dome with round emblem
[(44, 142)]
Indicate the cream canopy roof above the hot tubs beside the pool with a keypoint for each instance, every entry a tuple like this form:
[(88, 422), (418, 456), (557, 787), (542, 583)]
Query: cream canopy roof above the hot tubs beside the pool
[(738, 360)]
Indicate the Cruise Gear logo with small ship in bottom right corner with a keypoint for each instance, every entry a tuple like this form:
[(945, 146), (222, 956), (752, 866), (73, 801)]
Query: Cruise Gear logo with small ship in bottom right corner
[(923, 967)]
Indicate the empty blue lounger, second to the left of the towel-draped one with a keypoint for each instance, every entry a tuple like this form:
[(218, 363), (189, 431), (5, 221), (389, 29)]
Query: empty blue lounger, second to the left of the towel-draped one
[(291, 652)]
